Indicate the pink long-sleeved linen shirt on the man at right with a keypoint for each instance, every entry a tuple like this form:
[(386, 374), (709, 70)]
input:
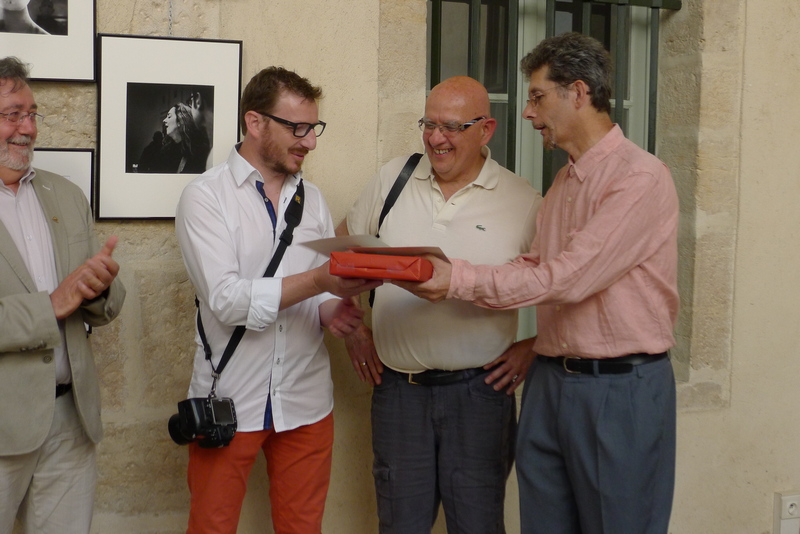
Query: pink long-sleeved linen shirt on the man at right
[(602, 268)]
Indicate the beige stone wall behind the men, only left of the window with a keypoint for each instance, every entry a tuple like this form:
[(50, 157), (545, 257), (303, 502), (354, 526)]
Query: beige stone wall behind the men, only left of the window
[(369, 58)]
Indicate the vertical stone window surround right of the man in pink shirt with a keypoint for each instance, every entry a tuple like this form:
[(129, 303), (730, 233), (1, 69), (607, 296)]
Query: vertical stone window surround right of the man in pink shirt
[(699, 106)]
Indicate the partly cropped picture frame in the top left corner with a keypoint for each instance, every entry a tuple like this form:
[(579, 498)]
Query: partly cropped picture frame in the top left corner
[(66, 52)]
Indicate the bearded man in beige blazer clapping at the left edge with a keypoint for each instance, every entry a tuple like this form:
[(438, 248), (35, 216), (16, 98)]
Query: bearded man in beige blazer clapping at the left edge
[(54, 279)]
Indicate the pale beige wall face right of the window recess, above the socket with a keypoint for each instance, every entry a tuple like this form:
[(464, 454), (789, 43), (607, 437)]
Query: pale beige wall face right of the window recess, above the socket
[(732, 457)]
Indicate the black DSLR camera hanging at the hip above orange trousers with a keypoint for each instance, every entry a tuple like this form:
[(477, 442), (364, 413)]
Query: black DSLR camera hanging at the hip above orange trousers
[(208, 420)]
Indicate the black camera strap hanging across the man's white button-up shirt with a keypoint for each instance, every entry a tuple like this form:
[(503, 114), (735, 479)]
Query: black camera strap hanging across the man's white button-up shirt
[(293, 216)]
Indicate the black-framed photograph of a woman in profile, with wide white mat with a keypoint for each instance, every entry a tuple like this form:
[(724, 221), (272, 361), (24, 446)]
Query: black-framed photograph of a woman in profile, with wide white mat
[(168, 111)]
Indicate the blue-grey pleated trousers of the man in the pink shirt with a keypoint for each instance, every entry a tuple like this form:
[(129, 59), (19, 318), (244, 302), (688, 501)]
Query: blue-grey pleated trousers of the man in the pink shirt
[(596, 453)]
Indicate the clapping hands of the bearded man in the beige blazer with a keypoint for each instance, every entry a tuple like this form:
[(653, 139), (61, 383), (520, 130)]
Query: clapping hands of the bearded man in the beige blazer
[(86, 282)]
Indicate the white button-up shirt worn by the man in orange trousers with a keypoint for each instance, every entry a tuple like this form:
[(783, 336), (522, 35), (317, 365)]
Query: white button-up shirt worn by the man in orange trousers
[(226, 238)]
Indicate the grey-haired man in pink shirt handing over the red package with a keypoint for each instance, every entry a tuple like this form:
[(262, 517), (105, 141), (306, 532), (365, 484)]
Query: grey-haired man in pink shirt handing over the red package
[(596, 443)]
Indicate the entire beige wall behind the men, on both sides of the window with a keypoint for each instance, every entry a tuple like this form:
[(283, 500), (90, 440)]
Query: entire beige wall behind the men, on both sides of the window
[(728, 113)]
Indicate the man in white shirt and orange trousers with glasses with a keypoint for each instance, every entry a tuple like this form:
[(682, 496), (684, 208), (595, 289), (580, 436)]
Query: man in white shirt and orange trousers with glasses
[(229, 223)]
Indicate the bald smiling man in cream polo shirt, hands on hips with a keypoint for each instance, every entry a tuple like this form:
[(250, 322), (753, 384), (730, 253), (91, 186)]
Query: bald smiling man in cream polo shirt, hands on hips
[(443, 409)]
